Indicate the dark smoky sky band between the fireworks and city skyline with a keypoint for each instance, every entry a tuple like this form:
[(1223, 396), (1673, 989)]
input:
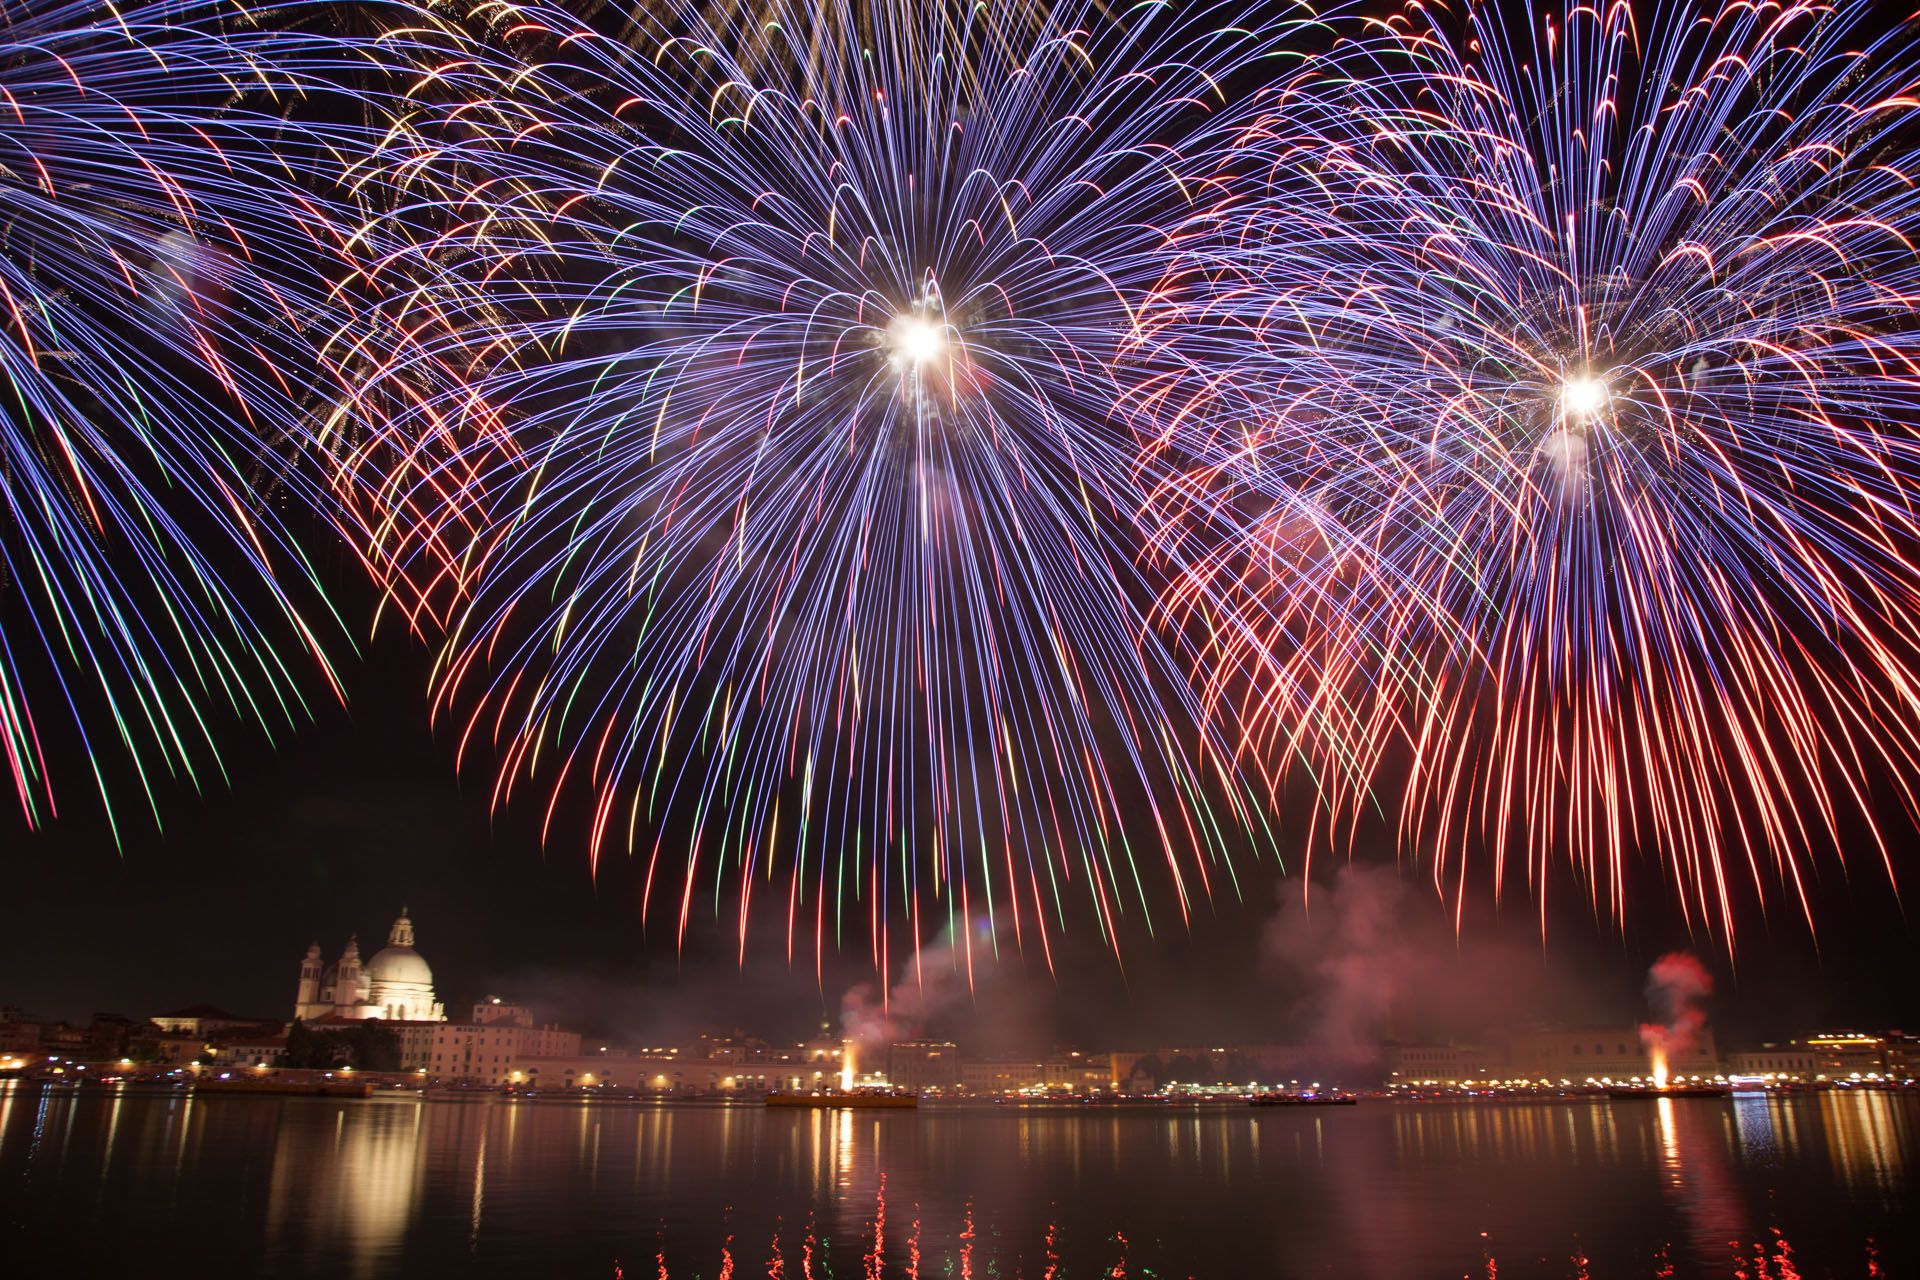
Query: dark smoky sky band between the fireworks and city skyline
[(364, 815)]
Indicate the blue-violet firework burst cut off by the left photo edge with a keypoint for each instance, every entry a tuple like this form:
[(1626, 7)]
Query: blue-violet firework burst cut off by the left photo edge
[(153, 289)]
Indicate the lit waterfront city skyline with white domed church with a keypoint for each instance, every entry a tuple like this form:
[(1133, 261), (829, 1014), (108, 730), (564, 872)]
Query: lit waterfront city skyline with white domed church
[(377, 1012)]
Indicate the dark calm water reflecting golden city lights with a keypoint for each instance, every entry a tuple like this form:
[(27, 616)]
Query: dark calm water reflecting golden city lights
[(103, 1183)]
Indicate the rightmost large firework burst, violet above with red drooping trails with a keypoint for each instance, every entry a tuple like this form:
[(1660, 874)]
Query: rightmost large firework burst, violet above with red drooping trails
[(1550, 398)]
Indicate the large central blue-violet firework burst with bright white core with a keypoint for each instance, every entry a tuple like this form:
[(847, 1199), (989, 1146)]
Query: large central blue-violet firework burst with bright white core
[(794, 523)]
